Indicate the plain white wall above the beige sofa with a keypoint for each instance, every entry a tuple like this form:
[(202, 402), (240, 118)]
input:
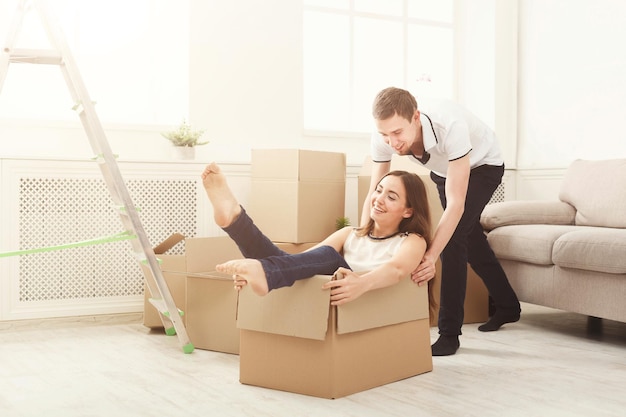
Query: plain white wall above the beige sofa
[(572, 84)]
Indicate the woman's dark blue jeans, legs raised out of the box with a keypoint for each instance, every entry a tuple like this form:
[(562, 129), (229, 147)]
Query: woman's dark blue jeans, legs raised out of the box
[(281, 268)]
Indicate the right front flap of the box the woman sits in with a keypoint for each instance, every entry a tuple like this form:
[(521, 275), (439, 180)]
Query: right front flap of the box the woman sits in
[(399, 303)]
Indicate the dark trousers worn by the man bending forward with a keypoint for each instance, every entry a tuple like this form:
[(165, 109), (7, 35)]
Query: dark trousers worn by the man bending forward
[(469, 244)]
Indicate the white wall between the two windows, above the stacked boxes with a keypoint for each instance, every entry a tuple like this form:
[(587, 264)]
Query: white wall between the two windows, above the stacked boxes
[(246, 80)]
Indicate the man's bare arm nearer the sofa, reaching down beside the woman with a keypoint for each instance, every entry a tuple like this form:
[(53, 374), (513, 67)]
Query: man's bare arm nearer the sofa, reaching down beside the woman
[(457, 180)]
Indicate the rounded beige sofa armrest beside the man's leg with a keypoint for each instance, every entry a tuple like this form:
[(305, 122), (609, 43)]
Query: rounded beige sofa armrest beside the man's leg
[(507, 213)]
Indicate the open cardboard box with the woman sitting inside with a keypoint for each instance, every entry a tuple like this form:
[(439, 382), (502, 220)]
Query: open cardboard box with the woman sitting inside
[(294, 340)]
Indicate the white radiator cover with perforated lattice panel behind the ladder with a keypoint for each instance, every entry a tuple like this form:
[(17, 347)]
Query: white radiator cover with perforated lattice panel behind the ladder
[(49, 203)]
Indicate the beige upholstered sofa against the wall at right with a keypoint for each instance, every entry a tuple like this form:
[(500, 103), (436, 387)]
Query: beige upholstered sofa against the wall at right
[(568, 254)]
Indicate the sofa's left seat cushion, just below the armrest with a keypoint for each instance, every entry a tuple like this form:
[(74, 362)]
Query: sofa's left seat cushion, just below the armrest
[(526, 243)]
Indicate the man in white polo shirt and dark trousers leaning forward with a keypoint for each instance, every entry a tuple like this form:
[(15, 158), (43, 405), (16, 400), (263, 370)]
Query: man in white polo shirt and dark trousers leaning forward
[(465, 163)]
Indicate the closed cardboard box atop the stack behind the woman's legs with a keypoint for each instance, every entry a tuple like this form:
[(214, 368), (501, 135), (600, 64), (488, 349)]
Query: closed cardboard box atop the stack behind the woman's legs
[(297, 195)]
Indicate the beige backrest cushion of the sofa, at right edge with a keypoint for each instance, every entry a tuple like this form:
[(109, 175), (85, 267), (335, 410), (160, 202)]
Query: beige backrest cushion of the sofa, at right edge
[(597, 189)]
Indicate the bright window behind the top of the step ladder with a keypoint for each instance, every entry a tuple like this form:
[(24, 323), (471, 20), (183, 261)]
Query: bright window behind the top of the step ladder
[(132, 55)]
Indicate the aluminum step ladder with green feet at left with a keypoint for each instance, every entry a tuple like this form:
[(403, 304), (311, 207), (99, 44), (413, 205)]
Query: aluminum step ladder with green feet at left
[(60, 55)]
